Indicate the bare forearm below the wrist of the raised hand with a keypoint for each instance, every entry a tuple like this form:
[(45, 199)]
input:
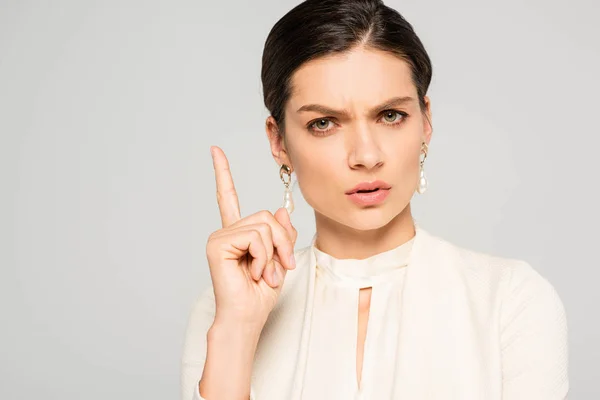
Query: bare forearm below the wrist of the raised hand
[(229, 359)]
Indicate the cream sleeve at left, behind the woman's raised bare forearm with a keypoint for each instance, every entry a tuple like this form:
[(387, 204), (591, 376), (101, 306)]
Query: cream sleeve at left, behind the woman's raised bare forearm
[(195, 345)]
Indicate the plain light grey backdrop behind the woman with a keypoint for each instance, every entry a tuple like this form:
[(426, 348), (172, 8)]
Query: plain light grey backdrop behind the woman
[(107, 112)]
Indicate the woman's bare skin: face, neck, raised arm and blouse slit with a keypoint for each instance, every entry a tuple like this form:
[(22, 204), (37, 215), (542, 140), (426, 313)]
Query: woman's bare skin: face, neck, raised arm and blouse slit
[(369, 125)]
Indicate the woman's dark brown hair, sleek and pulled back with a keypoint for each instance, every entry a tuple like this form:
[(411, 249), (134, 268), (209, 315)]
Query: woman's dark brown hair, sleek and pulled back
[(317, 28)]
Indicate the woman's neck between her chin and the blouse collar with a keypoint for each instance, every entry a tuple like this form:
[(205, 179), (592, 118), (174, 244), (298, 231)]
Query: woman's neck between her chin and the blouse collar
[(342, 241)]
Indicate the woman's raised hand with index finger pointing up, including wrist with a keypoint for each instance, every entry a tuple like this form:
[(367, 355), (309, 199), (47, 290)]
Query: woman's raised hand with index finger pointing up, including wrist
[(248, 257)]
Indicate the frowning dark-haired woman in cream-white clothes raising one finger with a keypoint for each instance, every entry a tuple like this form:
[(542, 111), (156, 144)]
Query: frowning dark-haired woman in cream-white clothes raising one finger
[(375, 307)]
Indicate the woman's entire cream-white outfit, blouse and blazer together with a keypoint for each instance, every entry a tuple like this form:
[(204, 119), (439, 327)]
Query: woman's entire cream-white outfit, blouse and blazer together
[(445, 322)]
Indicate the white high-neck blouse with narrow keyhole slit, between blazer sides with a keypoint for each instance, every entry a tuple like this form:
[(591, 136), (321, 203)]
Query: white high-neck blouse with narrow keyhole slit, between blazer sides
[(331, 362)]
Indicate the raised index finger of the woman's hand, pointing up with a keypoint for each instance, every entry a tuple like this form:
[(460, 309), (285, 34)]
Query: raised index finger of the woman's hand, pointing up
[(226, 195)]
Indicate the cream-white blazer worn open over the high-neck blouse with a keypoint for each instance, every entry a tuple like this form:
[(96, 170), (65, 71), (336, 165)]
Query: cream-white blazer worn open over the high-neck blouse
[(474, 327)]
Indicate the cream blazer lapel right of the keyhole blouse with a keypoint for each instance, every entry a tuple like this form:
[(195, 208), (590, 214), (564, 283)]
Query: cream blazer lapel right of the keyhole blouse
[(439, 353)]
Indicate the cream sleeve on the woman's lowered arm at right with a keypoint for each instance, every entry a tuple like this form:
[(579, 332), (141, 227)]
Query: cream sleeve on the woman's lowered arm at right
[(534, 338)]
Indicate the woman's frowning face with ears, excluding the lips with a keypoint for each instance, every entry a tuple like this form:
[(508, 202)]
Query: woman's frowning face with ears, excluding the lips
[(353, 118)]
